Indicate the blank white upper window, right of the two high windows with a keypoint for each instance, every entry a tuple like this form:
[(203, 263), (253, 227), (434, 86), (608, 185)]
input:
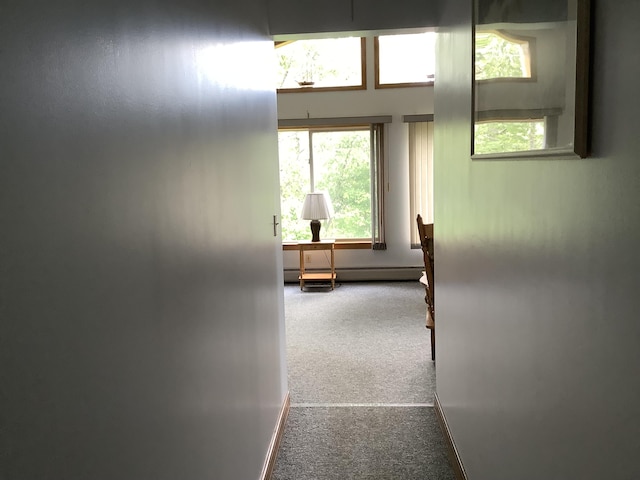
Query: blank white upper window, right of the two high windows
[(405, 60)]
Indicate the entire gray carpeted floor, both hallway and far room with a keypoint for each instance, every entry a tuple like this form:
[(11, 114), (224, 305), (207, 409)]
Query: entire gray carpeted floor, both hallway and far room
[(361, 381)]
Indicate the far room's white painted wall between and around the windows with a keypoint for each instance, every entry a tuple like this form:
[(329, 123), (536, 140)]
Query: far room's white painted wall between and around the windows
[(396, 102)]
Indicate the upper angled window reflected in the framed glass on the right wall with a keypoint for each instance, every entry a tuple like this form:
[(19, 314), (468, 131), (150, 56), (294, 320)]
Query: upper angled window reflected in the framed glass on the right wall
[(502, 56)]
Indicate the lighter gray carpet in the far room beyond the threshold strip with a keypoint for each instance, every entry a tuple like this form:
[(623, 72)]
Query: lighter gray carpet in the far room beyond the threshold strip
[(360, 343)]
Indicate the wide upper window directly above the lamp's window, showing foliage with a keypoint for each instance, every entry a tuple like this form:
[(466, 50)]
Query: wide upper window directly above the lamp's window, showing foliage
[(321, 64)]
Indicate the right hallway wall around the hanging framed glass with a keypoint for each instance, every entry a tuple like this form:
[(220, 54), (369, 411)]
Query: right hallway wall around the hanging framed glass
[(537, 272)]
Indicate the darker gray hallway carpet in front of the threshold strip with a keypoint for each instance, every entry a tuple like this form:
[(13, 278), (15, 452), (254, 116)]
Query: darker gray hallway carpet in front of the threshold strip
[(339, 443)]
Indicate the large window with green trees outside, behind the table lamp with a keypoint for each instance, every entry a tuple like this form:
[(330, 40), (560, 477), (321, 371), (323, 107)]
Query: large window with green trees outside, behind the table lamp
[(342, 161)]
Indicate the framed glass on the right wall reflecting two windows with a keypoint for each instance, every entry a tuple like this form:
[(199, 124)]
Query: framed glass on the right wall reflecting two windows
[(530, 83)]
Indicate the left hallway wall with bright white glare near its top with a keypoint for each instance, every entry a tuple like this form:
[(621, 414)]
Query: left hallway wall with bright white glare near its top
[(141, 316)]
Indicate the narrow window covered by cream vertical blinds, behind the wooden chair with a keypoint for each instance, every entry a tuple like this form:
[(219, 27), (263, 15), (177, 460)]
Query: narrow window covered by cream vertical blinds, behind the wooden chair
[(420, 174)]
